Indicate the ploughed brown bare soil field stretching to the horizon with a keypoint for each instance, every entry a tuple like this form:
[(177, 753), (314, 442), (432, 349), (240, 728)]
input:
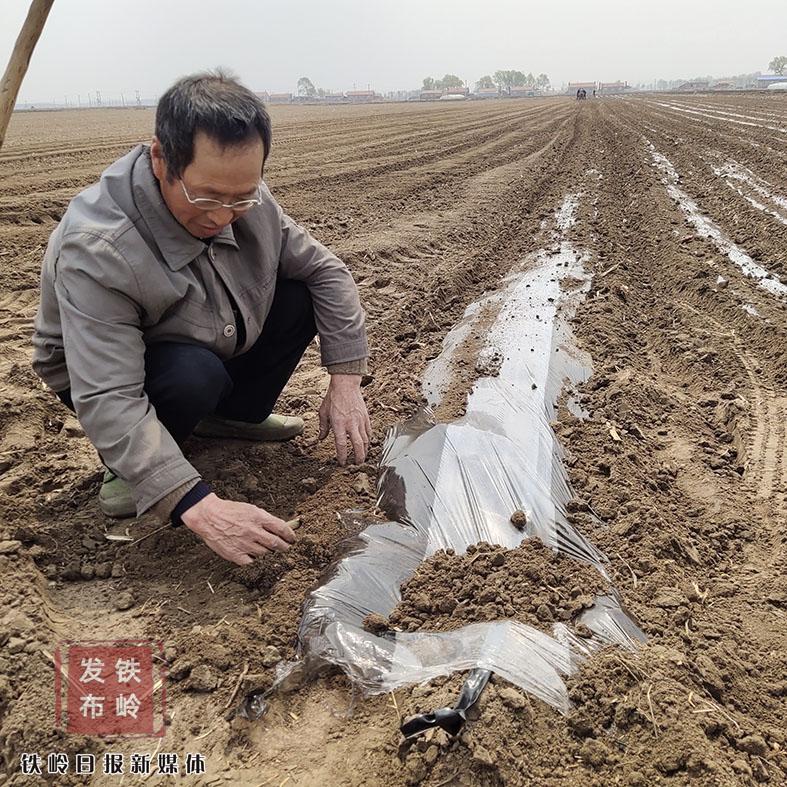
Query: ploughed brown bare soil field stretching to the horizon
[(679, 197)]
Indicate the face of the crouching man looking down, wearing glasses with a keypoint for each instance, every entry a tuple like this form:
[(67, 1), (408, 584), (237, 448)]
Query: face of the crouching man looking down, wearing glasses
[(227, 174)]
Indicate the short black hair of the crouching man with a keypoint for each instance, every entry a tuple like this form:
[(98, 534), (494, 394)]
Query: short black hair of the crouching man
[(215, 103)]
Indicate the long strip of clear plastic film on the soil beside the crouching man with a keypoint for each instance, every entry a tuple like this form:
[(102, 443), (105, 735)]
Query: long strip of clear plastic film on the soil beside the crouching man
[(449, 485)]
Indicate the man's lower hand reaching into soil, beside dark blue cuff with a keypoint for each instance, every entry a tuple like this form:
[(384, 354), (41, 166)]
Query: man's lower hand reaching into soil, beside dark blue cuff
[(238, 532)]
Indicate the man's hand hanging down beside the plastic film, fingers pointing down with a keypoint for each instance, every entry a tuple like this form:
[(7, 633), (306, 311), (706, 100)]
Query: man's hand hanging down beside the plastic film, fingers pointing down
[(343, 411)]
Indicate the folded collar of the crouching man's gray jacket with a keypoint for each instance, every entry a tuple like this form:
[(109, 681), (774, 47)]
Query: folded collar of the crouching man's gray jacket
[(178, 246)]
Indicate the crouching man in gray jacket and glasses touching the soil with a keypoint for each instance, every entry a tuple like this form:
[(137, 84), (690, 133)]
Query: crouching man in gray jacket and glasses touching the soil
[(177, 298)]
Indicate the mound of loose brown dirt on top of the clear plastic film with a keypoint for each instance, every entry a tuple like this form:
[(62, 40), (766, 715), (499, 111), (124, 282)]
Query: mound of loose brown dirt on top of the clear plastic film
[(531, 584)]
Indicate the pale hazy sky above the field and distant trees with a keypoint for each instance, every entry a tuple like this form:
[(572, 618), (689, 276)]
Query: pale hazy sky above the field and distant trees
[(121, 46)]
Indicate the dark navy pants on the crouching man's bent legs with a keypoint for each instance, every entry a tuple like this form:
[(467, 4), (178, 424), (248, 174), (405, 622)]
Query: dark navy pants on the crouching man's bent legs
[(186, 382)]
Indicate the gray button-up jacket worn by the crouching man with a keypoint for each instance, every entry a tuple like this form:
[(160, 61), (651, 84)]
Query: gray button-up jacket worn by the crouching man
[(121, 273)]
